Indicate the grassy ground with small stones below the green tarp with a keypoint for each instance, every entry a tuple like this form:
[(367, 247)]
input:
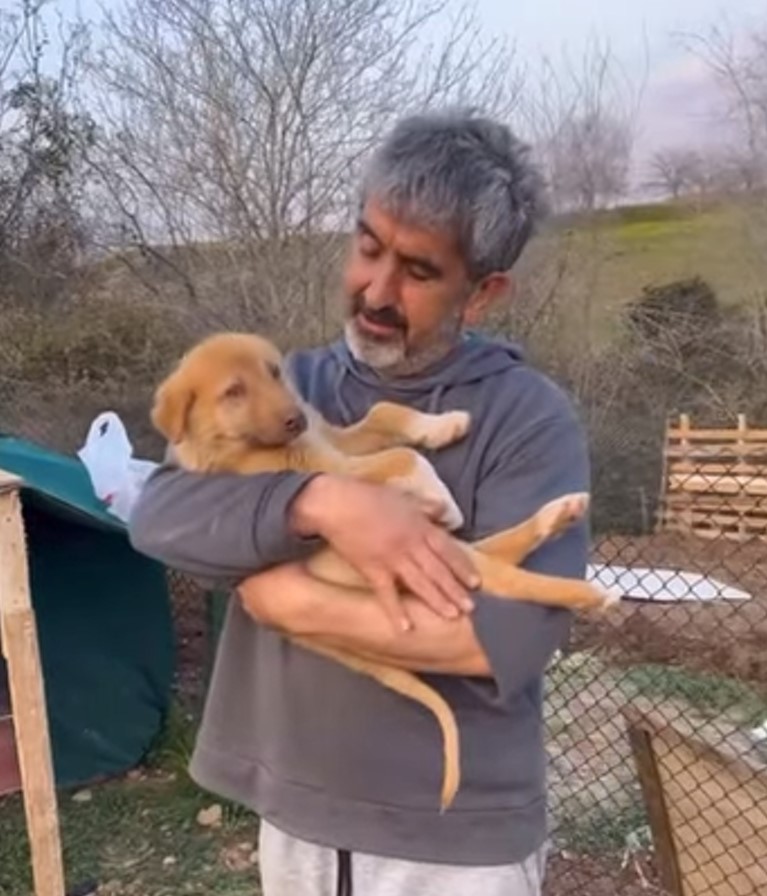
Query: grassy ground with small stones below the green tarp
[(139, 836)]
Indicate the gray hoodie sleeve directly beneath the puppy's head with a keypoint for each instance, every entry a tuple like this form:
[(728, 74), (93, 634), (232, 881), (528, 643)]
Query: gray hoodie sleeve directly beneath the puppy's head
[(218, 528)]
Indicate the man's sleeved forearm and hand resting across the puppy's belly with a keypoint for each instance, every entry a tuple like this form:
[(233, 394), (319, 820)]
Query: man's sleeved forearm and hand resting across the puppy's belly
[(222, 528)]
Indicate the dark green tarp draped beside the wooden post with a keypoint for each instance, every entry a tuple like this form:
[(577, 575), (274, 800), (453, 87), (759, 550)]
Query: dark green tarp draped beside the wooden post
[(103, 617)]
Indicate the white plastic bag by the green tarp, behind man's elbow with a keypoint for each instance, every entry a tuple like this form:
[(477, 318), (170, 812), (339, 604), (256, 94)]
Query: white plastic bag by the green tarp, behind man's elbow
[(116, 476)]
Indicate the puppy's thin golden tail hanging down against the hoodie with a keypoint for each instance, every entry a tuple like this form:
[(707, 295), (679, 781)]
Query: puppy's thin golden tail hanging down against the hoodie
[(409, 685)]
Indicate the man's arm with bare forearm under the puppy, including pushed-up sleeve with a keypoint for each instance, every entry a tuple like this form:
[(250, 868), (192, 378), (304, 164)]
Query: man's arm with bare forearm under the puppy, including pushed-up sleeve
[(509, 641)]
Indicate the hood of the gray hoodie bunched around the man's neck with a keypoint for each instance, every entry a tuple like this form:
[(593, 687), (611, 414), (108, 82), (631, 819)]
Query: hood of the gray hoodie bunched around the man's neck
[(474, 358)]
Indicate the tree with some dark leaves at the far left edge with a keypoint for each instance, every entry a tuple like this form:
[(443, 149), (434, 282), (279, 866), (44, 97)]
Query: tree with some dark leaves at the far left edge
[(42, 142)]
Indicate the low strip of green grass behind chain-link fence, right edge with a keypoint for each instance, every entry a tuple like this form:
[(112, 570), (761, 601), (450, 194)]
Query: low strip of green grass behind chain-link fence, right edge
[(711, 695)]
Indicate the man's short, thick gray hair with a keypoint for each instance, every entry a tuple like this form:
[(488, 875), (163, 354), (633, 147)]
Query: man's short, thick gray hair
[(458, 170)]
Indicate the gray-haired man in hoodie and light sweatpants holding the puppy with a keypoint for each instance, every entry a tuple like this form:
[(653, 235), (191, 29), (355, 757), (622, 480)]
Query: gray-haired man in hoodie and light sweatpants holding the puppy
[(344, 774)]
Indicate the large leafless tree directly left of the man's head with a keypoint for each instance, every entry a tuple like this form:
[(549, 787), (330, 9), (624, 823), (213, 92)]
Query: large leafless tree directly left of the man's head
[(236, 129)]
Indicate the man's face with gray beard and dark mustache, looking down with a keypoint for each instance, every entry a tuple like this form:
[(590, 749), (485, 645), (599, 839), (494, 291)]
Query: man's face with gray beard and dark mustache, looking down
[(407, 292)]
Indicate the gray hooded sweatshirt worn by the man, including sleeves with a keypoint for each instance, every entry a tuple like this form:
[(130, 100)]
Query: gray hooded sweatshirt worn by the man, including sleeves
[(331, 756)]
